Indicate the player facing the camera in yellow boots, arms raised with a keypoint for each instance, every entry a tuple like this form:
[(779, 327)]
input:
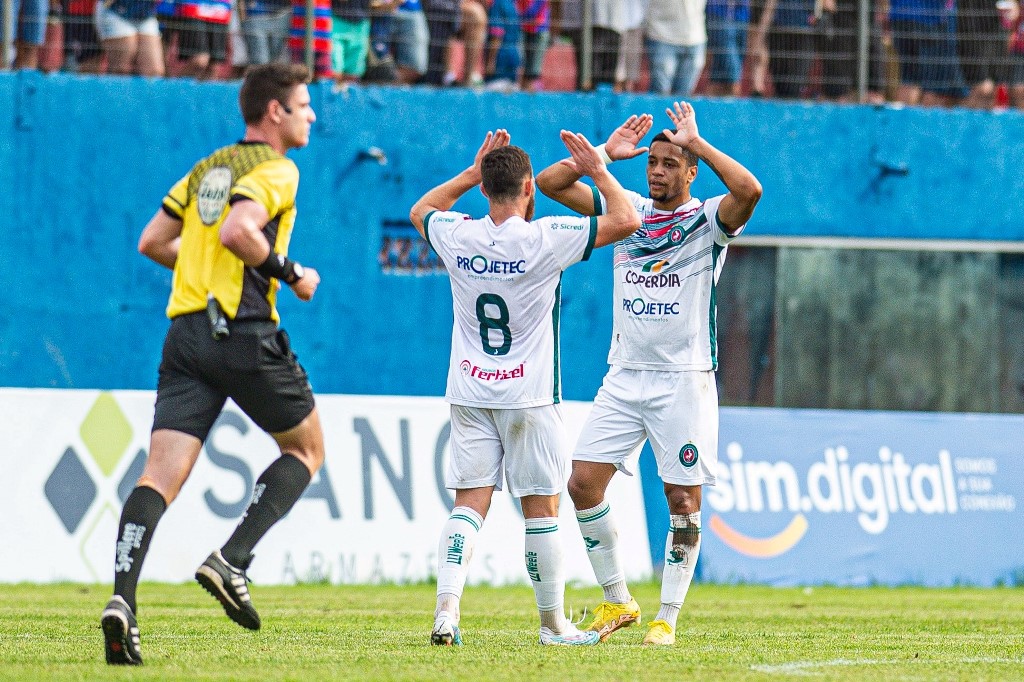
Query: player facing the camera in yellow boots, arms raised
[(664, 355)]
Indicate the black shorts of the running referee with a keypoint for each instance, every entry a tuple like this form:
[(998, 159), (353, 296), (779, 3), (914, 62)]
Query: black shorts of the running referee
[(255, 367)]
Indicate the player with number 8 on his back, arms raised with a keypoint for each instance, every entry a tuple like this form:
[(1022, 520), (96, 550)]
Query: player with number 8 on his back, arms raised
[(504, 382)]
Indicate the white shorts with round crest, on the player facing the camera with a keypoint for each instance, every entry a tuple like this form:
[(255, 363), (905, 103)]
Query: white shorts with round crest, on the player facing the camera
[(676, 411)]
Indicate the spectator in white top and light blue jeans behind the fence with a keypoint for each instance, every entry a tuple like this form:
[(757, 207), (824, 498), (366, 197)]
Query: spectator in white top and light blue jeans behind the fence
[(677, 42)]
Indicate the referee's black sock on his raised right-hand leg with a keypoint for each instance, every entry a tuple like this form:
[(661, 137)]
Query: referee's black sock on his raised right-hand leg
[(277, 491)]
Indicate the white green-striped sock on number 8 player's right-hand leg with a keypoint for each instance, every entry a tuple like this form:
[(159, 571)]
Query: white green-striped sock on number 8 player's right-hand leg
[(544, 565)]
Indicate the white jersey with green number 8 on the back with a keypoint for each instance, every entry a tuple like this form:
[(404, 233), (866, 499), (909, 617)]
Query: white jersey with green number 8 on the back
[(505, 290)]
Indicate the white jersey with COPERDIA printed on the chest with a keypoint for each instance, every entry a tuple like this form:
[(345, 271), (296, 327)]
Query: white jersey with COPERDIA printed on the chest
[(665, 275)]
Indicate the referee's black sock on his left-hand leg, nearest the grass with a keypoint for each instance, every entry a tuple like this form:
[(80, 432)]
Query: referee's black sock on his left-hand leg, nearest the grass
[(139, 520)]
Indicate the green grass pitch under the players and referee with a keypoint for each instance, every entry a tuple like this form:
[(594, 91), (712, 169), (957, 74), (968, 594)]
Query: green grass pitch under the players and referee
[(317, 633)]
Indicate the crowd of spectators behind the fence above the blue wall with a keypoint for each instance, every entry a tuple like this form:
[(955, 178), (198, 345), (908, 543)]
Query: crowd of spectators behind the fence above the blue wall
[(929, 53)]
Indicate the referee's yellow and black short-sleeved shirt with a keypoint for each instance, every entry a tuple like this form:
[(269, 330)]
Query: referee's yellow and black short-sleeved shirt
[(202, 200)]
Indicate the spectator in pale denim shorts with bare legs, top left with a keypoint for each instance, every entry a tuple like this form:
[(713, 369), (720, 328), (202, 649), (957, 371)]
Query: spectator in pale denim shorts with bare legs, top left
[(131, 35)]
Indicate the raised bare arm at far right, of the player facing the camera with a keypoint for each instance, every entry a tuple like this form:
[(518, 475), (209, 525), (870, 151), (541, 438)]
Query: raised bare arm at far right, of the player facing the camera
[(745, 190)]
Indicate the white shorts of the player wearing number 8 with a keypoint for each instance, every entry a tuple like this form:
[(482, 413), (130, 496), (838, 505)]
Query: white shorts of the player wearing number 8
[(528, 446)]
